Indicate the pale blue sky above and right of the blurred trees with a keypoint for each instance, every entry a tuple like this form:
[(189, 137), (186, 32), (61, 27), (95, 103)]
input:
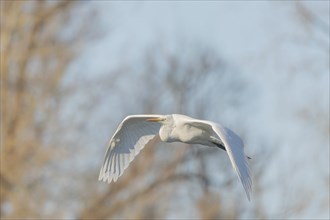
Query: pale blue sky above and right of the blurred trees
[(284, 62)]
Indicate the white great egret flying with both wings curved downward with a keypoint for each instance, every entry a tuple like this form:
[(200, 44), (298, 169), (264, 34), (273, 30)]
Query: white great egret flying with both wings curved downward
[(135, 131)]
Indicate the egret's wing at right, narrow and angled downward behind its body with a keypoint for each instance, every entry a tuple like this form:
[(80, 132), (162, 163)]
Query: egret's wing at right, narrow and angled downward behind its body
[(235, 149)]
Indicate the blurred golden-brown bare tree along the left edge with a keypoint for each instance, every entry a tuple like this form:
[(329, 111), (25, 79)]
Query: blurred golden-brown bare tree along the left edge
[(39, 39)]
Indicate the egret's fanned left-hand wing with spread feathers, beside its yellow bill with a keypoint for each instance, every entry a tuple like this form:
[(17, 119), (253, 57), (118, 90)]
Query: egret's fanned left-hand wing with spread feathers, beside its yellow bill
[(133, 133)]
